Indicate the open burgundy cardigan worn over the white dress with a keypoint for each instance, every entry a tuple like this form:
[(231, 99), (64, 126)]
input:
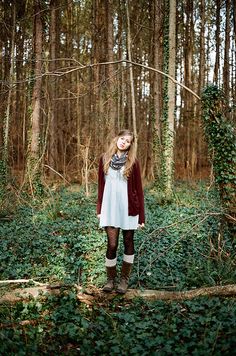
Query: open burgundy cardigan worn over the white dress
[(135, 191)]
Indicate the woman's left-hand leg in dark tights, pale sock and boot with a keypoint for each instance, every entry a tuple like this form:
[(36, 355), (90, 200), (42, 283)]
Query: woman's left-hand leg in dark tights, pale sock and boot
[(111, 259)]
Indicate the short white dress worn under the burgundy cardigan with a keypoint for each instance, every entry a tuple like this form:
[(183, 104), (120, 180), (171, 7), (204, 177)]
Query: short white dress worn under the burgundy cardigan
[(114, 211)]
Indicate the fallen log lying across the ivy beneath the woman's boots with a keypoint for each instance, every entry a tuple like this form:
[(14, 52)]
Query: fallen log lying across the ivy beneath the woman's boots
[(92, 294)]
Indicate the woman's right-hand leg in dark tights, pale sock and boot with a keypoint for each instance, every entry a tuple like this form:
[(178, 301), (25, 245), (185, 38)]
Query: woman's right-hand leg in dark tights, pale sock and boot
[(128, 259)]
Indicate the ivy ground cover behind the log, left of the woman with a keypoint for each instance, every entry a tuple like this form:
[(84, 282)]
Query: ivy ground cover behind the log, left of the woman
[(50, 239)]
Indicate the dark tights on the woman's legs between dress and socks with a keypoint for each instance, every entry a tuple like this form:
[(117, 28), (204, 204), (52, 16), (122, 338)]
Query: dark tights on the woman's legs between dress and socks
[(113, 238)]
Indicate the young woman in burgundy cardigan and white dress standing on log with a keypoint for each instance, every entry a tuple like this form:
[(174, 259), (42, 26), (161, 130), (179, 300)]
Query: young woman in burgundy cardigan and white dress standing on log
[(120, 204)]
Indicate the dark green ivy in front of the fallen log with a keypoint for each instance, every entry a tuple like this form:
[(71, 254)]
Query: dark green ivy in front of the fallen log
[(61, 325)]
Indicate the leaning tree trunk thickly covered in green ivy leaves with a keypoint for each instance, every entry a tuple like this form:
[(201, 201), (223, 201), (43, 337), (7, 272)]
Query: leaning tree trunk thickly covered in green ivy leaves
[(221, 137)]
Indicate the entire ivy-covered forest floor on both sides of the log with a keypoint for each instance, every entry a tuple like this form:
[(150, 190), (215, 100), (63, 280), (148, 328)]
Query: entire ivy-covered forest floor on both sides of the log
[(56, 240)]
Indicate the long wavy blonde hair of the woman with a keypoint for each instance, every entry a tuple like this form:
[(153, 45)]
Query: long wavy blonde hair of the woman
[(112, 149)]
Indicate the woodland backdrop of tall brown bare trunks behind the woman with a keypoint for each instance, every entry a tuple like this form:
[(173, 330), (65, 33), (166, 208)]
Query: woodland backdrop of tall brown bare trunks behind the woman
[(60, 105)]
